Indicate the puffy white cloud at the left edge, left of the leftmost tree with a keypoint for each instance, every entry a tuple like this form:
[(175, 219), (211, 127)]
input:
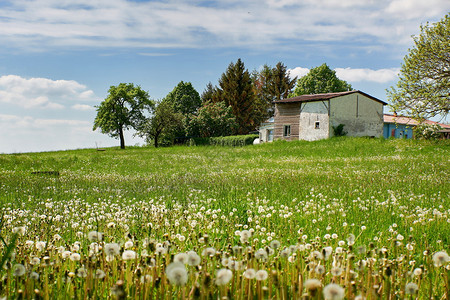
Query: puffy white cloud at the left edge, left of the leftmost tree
[(42, 93)]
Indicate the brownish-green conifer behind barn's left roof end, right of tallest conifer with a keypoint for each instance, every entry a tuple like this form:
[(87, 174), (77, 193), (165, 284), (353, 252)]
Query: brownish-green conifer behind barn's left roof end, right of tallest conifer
[(272, 84)]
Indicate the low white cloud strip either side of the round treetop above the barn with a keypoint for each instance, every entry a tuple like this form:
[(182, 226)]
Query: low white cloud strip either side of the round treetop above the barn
[(356, 75)]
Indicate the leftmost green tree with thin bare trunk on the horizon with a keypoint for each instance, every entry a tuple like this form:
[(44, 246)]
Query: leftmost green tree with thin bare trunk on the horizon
[(124, 108)]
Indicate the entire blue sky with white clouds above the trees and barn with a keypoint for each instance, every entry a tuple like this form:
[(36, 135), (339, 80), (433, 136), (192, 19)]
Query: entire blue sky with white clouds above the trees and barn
[(58, 58)]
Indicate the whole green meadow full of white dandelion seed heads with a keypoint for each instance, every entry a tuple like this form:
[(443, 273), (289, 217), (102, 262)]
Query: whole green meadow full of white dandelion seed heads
[(345, 218)]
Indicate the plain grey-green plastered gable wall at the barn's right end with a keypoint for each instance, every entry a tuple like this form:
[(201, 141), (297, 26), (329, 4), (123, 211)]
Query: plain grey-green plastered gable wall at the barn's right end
[(361, 115)]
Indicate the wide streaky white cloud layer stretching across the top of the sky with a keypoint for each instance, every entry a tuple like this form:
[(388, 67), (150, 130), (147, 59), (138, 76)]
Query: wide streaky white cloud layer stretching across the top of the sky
[(38, 24)]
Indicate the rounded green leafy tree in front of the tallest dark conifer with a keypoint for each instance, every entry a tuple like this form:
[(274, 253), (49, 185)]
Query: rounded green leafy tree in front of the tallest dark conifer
[(212, 119)]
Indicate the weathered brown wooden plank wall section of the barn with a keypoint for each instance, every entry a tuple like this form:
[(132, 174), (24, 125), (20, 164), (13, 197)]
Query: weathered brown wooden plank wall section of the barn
[(286, 114)]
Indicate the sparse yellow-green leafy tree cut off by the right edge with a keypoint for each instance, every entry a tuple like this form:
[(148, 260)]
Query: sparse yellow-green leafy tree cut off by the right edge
[(423, 89)]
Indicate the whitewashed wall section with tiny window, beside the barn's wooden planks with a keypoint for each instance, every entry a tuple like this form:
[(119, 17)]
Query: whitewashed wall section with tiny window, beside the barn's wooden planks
[(314, 121)]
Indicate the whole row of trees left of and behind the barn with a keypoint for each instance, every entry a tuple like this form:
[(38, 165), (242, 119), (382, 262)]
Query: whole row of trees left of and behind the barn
[(240, 102)]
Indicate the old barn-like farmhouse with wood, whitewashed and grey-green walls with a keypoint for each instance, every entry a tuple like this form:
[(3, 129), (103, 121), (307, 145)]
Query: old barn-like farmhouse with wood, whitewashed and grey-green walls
[(312, 117)]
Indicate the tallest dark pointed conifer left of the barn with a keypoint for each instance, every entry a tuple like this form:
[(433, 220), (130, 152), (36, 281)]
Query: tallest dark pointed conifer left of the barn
[(236, 90)]
